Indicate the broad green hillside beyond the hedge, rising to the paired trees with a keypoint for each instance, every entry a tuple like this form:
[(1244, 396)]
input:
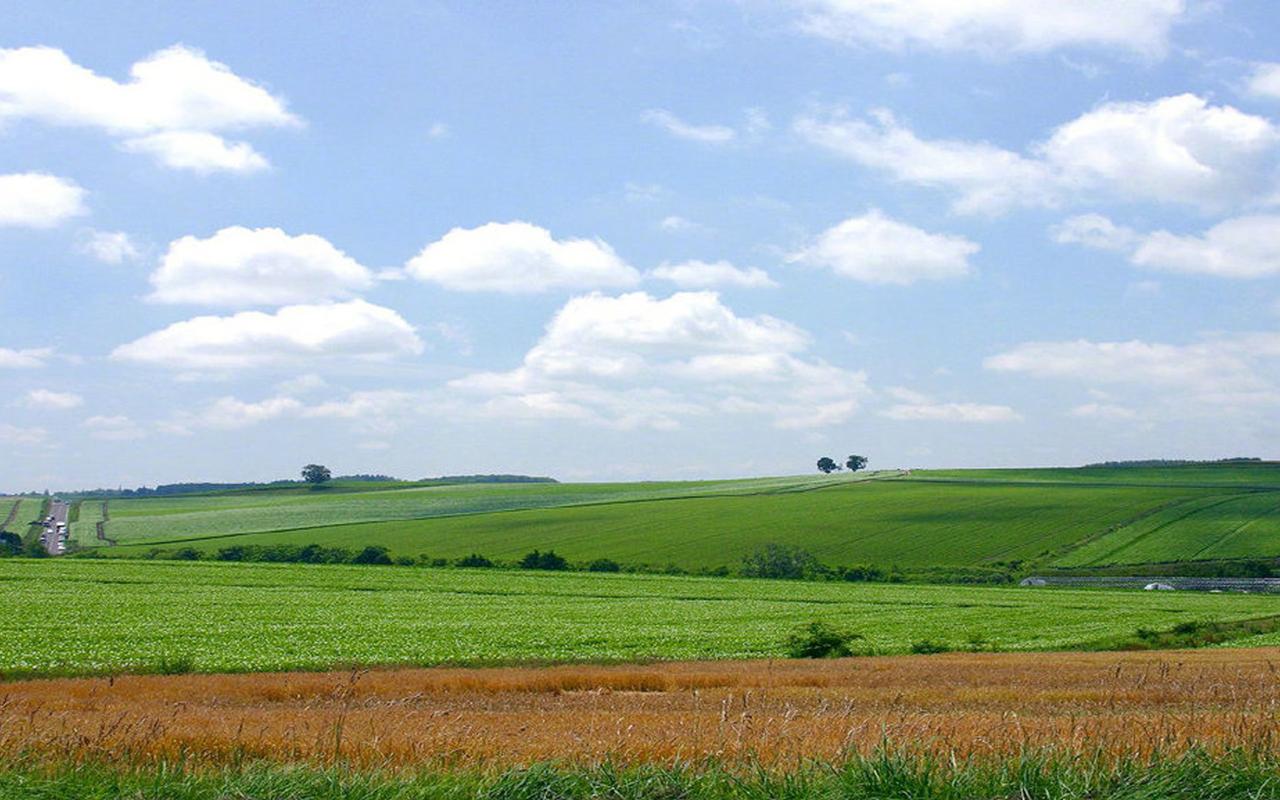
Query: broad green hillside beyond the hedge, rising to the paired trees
[(976, 519)]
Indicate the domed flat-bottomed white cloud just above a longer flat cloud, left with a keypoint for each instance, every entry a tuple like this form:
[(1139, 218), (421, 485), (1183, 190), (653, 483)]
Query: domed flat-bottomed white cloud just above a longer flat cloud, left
[(263, 267)]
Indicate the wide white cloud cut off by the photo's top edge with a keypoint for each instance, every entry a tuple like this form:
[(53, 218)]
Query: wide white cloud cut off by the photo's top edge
[(995, 28)]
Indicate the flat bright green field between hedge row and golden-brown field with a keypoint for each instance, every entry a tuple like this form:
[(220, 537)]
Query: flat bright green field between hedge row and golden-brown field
[(108, 616)]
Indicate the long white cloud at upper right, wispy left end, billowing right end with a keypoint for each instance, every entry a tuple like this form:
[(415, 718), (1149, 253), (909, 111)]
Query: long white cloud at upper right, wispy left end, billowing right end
[(1171, 150)]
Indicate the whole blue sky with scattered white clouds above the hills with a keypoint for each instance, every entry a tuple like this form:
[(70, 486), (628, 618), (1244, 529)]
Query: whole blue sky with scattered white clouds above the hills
[(612, 241)]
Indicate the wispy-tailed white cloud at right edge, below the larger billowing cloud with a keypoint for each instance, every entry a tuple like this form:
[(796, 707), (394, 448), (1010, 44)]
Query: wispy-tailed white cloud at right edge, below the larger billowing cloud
[(1242, 248)]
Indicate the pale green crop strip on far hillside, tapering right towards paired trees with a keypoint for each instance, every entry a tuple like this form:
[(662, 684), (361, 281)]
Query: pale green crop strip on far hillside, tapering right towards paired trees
[(200, 516)]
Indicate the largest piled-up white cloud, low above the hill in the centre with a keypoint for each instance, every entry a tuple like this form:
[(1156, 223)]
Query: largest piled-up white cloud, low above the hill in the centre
[(638, 362)]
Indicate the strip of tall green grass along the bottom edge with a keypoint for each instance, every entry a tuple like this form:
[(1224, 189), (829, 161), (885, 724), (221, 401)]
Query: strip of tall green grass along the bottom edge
[(1191, 776)]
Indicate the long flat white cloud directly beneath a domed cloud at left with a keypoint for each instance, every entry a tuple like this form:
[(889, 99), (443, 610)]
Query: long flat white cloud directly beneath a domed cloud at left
[(292, 335)]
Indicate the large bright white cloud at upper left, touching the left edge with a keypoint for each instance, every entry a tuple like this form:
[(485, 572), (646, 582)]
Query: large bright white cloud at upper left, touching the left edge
[(175, 106)]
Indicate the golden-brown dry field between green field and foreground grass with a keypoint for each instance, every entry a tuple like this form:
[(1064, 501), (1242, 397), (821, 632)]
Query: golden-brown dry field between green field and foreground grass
[(778, 712)]
